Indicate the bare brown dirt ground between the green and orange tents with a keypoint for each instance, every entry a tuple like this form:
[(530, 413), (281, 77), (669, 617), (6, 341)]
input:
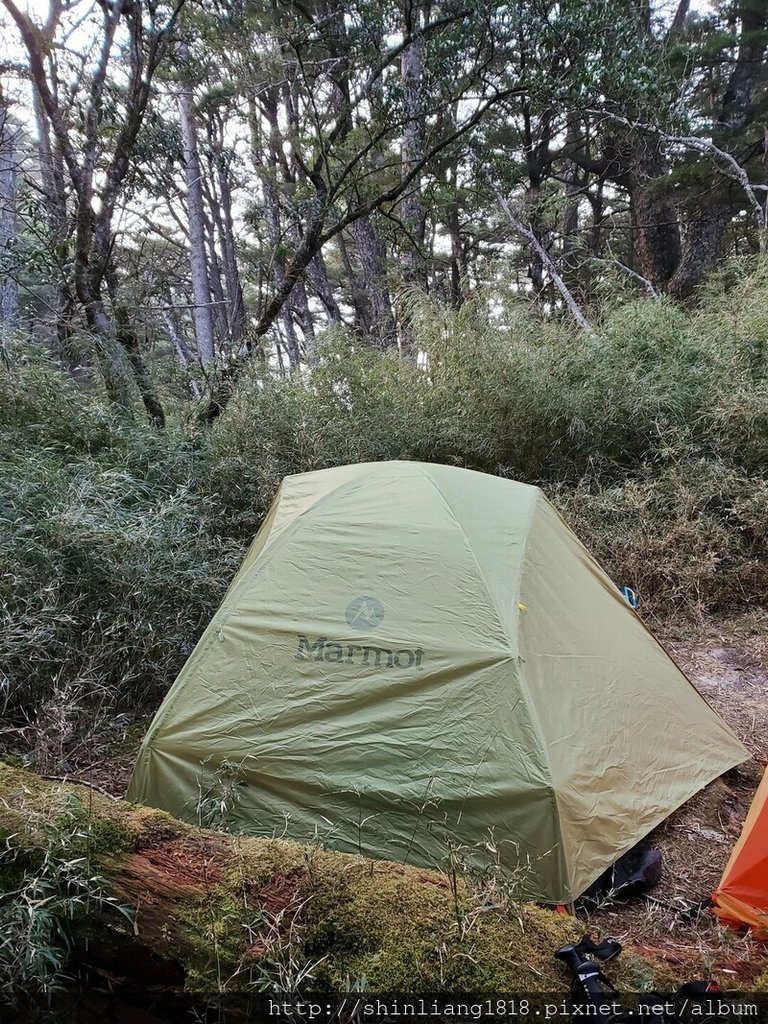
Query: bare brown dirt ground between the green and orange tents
[(729, 664)]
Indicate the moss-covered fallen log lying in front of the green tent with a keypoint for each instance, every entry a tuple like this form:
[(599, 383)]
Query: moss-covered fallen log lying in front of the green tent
[(149, 903)]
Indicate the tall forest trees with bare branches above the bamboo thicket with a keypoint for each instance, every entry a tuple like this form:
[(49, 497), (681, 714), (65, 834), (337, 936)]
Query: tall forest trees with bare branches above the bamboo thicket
[(221, 184)]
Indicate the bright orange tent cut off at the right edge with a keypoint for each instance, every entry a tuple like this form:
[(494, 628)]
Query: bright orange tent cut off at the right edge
[(742, 898)]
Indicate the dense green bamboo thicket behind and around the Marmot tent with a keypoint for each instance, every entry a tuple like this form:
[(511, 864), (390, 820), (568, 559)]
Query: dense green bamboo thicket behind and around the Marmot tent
[(651, 436)]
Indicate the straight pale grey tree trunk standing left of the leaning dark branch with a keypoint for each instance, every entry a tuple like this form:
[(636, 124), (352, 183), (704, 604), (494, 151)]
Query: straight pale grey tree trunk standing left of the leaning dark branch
[(202, 315)]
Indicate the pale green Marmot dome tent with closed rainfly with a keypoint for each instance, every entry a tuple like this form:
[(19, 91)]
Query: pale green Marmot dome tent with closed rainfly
[(416, 658)]
